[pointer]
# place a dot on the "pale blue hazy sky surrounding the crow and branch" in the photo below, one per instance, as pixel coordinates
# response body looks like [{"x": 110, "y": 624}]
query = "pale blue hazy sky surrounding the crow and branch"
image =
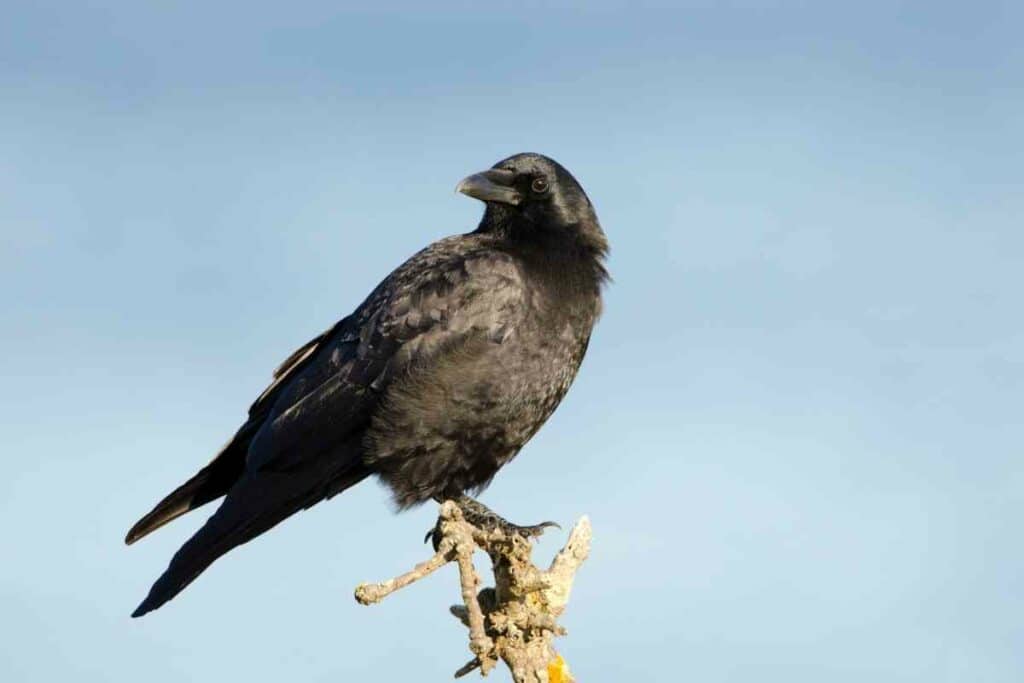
[{"x": 798, "y": 431}]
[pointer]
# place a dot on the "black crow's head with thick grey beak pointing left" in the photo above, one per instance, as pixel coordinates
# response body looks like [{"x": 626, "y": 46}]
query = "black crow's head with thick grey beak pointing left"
[{"x": 532, "y": 197}]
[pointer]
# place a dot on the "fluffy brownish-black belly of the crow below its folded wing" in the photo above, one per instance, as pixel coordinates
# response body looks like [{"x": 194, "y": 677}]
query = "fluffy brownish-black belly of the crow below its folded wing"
[{"x": 450, "y": 426}]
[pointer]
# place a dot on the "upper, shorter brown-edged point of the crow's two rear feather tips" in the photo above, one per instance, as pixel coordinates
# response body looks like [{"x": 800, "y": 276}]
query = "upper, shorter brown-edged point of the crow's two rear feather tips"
[{"x": 209, "y": 484}]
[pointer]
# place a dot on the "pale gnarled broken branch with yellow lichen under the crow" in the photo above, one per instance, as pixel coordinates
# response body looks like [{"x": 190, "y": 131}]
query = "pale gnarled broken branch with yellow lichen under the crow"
[{"x": 517, "y": 621}]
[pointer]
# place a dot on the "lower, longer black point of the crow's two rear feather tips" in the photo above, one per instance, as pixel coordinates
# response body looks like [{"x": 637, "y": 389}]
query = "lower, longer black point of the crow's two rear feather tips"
[{"x": 254, "y": 505}]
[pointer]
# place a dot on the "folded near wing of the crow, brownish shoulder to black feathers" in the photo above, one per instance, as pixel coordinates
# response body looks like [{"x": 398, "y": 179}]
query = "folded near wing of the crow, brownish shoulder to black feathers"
[{"x": 428, "y": 308}]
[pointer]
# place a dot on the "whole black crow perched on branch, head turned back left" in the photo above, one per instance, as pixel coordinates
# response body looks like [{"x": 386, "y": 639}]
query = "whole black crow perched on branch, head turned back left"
[{"x": 433, "y": 385}]
